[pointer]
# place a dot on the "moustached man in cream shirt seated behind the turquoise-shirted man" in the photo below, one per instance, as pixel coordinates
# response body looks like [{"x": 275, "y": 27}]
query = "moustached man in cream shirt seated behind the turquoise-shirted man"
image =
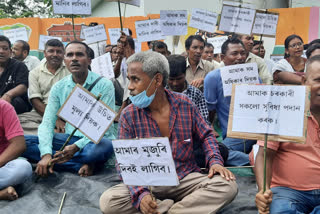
[{"x": 41, "y": 79}]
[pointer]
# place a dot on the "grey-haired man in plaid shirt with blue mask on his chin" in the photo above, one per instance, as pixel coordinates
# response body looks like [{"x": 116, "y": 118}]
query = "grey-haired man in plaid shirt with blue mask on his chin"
[{"x": 158, "y": 112}]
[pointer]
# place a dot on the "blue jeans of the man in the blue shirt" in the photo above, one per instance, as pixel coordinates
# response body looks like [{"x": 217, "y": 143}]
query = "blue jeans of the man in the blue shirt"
[{"x": 238, "y": 151}]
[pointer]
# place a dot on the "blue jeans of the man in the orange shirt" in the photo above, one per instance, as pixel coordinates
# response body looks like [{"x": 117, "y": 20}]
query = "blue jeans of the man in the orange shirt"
[{"x": 289, "y": 201}]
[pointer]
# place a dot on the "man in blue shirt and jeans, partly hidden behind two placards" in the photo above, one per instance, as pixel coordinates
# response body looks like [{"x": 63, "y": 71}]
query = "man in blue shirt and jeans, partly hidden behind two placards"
[{"x": 232, "y": 53}]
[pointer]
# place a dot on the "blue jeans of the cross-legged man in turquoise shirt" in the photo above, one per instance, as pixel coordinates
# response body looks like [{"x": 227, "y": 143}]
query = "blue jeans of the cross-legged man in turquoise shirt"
[{"x": 91, "y": 153}]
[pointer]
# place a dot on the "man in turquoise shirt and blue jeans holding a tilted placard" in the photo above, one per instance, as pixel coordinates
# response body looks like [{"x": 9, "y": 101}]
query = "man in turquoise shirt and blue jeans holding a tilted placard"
[{"x": 80, "y": 155}]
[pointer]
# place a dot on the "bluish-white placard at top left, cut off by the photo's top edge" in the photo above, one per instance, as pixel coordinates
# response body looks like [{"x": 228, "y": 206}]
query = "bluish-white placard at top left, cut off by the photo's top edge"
[{"x": 76, "y": 7}]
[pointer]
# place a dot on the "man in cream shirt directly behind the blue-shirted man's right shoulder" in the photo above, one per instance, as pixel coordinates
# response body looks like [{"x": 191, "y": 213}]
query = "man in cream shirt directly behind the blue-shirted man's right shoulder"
[{"x": 264, "y": 74}]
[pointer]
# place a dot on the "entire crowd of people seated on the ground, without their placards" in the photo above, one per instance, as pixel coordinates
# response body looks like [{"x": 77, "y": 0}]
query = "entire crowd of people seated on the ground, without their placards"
[{"x": 153, "y": 93}]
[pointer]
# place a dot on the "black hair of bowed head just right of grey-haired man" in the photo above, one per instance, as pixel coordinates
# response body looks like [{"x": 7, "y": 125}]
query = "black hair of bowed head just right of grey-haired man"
[{"x": 177, "y": 65}]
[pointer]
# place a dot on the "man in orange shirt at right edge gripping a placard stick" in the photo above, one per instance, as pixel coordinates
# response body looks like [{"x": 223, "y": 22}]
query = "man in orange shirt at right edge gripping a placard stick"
[{"x": 293, "y": 169}]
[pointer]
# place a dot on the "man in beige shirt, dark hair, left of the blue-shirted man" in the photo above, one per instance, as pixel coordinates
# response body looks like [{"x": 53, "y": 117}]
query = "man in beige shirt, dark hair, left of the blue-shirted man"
[{"x": 197, "y": 68}]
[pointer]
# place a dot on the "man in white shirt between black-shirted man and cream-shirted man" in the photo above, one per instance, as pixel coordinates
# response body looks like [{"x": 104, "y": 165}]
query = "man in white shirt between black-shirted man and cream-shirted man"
[{"x": 20, "y": 51}]
